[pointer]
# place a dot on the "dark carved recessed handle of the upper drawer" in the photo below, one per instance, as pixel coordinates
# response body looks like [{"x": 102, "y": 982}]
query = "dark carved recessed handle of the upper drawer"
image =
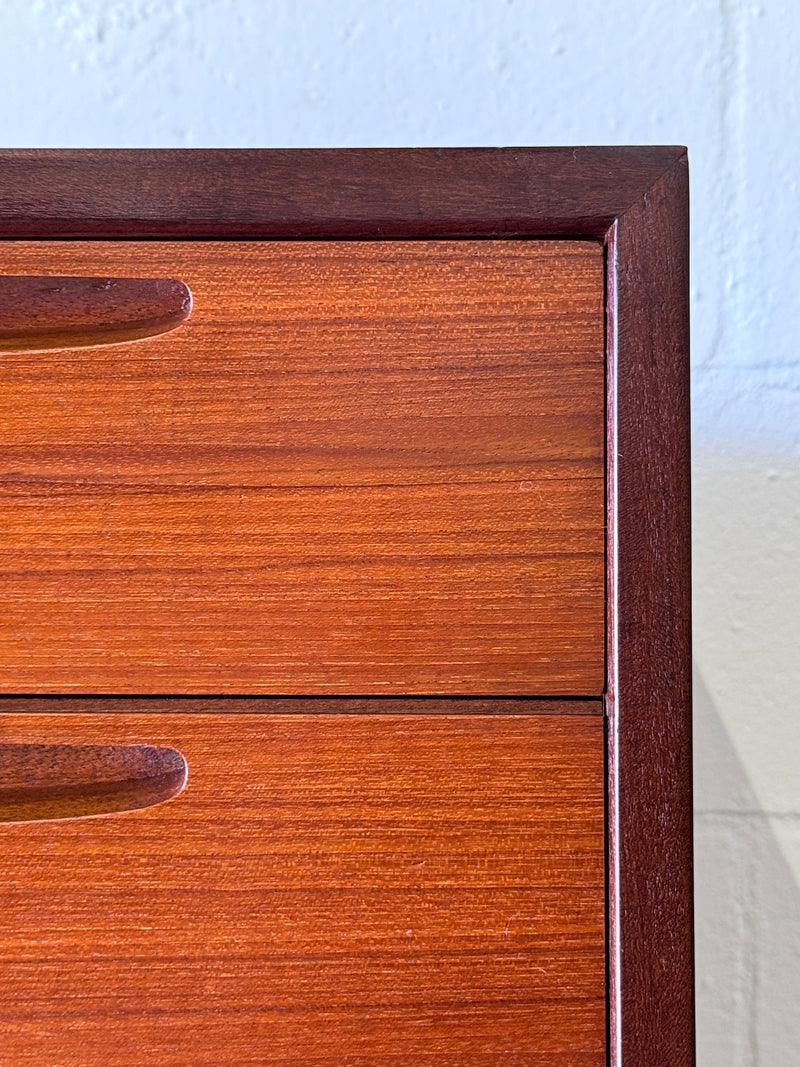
[{"x": 49, "y": 312}]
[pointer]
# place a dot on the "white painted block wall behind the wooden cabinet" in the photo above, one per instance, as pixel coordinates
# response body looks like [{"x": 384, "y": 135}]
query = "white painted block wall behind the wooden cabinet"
[{"x": 722, "y": 76}]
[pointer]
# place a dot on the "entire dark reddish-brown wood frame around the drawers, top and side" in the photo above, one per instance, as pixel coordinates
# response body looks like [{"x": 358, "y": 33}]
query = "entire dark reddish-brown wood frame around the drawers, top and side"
[{"x": 636, "y": 201}]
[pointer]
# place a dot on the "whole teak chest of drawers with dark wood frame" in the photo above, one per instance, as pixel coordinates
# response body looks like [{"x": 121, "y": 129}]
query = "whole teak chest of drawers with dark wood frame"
[{"x": 345, "y": 609}]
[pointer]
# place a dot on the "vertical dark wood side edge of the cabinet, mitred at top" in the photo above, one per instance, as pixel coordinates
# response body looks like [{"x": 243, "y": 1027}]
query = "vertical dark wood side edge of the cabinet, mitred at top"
[{"x": 649, "y": 687}]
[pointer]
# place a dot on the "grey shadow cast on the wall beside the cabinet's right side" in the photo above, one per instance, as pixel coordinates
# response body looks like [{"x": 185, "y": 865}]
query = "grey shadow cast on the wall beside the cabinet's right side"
[{"x": 747, "y": 911}]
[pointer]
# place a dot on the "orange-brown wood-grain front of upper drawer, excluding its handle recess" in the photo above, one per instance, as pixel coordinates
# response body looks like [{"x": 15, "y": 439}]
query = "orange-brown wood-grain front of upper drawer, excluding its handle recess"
[{"x": 358, "y": 468}]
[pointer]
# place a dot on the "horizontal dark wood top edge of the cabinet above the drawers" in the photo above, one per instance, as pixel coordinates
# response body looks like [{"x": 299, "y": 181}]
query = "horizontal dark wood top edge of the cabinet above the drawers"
[{"x": 323, "y": 194}]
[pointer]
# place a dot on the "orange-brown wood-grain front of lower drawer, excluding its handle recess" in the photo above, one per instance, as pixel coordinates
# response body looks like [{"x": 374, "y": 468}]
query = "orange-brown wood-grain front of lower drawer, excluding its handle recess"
[{"x": 377, "y": 890}]
